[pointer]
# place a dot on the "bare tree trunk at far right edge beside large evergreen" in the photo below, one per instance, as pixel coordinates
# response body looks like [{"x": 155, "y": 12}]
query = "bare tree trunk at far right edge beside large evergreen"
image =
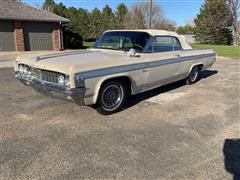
[{"x": 234, "y": 7}]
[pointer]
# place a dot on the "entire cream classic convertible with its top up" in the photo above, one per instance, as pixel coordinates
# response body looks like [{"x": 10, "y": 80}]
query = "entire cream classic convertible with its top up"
[{"x": 119, "y": 64}]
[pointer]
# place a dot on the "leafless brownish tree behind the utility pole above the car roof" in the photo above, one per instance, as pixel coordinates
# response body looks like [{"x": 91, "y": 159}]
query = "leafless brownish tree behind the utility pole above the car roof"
[{"x": 138, "y": 17}]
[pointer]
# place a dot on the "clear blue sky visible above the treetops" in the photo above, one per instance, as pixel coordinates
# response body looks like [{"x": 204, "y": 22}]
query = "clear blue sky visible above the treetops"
[{"x": 180, "y": 11}]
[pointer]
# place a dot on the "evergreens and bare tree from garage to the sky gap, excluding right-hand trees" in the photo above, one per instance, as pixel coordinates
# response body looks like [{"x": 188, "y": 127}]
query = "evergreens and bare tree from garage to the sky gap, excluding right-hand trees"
[{"x": 89, "y": 25}]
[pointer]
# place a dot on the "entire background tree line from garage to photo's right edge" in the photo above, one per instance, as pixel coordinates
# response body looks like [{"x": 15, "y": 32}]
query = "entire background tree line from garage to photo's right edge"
[{"x": 217, "y": 22}]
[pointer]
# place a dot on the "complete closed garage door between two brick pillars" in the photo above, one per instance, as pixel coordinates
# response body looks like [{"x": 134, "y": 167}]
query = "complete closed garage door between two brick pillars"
[{"x": 38, "y": 36}]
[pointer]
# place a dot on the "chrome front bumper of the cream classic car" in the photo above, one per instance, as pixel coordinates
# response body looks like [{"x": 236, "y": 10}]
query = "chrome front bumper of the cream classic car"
[{"x": 76, "y": 94}]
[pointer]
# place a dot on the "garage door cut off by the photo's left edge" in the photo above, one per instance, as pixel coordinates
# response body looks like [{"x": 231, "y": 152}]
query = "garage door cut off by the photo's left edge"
[{"x": 7, "y": 38}]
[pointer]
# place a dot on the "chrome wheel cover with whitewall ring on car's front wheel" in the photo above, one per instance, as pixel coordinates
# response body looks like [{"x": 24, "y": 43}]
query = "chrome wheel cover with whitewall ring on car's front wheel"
[{"x": 112, "y": 97}]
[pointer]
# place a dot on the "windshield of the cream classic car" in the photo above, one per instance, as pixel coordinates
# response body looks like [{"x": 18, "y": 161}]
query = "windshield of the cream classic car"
[{"x": 121, "y": 40}]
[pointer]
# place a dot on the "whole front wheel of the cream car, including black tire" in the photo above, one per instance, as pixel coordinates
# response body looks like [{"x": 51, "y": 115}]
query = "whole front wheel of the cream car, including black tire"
[{"x": 112, "y": 96}]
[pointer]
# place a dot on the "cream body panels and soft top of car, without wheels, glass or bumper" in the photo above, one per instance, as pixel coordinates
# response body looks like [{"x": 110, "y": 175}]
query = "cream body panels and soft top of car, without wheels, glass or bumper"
[{"x": 145, "y": 70}]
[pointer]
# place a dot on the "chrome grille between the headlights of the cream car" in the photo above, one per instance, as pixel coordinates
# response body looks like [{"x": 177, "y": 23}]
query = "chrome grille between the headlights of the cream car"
[{"x": 45, "y": 75}]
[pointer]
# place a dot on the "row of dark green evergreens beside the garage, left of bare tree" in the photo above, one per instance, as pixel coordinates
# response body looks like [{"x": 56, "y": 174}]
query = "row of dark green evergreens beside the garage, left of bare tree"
[{"x": 86, "y": 25}]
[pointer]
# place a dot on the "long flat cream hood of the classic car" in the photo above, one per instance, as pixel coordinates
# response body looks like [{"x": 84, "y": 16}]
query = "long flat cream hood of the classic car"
[{"x": 76, "y": 61}]
